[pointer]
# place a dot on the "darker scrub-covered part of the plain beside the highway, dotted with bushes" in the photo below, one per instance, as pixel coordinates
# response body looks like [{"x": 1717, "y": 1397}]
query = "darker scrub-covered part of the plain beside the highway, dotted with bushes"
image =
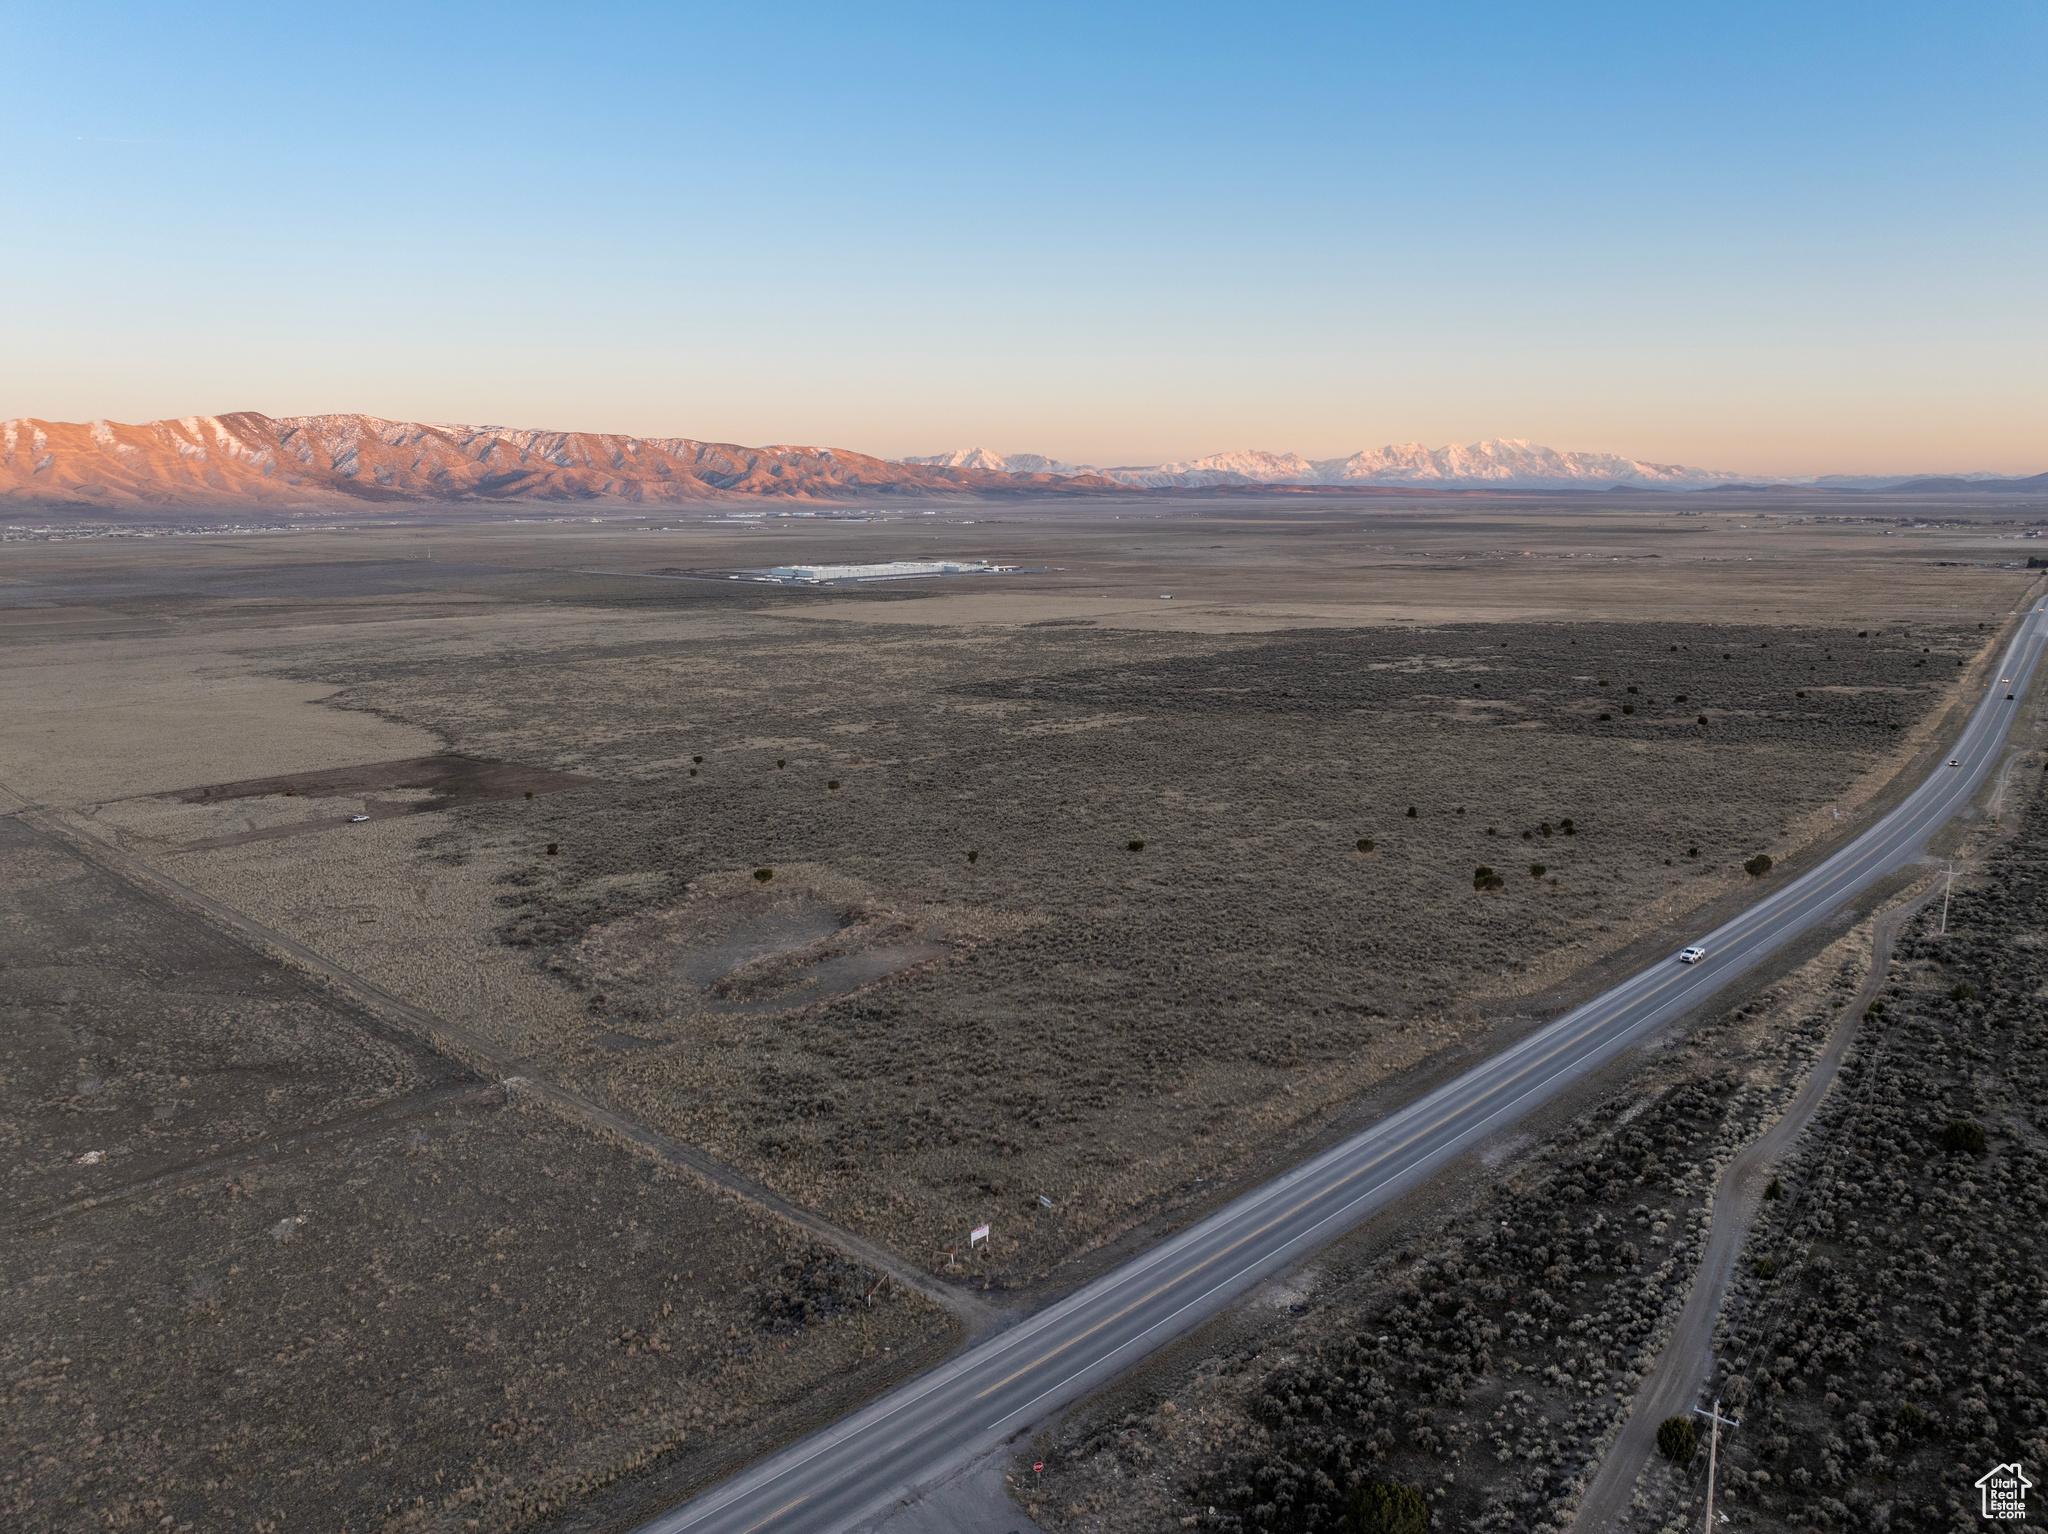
[{"x": 919, "y": 1041}]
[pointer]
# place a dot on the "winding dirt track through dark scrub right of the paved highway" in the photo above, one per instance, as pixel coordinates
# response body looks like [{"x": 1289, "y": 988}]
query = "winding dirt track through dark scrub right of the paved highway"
[{"x": 1674, "y": 1383}]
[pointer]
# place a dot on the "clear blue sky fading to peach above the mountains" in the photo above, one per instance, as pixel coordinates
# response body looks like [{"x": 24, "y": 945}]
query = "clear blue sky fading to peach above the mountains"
[{"x": 1770, "y": 239}]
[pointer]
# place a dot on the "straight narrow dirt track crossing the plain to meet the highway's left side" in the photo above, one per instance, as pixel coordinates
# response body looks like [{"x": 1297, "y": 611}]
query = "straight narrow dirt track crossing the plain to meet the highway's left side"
[{"x": 484, "y": 1056}]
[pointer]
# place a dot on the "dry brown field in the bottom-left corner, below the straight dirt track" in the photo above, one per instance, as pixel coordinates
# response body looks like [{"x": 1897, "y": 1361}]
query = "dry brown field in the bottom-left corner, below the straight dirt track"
[{"x": 269, "y": 1267}]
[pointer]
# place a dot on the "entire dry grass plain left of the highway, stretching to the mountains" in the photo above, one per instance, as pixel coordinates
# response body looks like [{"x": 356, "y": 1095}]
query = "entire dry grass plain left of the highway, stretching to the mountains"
[{"x": 957, "y": 990}]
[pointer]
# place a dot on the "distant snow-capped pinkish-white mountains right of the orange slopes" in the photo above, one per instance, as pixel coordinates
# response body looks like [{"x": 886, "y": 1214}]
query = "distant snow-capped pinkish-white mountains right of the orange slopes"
[{"x": 1508, "y": 464}]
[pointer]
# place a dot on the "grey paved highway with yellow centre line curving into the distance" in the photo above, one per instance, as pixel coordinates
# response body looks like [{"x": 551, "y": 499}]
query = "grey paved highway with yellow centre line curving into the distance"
[{"x": 1017, "y": 1379}]
